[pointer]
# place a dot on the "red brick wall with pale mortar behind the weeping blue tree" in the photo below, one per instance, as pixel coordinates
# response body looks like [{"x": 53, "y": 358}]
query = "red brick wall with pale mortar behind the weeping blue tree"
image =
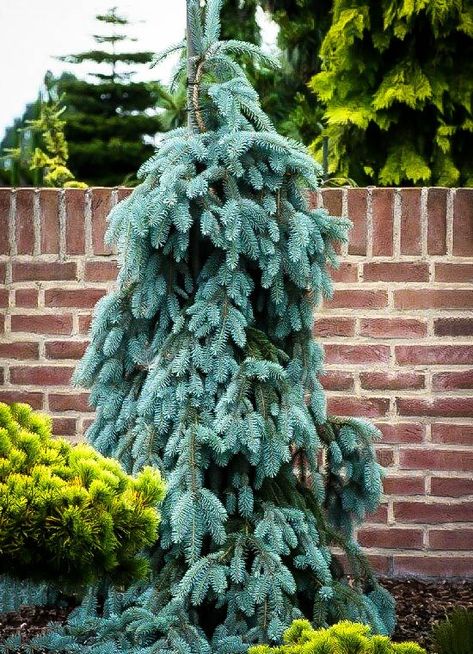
[{"x": 398, "y": 339}]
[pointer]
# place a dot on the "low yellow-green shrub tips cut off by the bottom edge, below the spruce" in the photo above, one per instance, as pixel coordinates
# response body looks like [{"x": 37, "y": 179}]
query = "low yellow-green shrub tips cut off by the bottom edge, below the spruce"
[{"x": 342, "y": 638}]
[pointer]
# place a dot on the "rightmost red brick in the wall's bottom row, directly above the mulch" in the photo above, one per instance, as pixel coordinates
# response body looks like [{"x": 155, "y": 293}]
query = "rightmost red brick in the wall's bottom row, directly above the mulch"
[{"x": 433, "y": 566}]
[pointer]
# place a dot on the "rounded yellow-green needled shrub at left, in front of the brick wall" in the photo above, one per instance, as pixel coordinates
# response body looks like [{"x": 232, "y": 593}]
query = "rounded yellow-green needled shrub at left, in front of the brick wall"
[{"x": 66, "y": 512}]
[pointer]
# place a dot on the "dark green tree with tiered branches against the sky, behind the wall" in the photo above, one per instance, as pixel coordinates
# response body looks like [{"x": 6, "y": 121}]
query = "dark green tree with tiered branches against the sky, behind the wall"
[{"x": 110, "y": 127}]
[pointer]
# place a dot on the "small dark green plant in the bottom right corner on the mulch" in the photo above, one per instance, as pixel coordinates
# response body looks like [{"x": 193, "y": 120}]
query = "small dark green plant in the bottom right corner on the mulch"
[{"x": 455, "y": 634}]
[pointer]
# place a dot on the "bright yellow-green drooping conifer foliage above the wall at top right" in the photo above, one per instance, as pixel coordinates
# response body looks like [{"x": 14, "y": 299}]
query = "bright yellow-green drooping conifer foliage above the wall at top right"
[{"x": 397, "y": 87}]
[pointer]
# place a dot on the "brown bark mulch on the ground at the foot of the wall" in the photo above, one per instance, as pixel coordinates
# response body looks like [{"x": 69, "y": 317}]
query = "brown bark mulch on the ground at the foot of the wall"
[{"x": 420, "y": 604}]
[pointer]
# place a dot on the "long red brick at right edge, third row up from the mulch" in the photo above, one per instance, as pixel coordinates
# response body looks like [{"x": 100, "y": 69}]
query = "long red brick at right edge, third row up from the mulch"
[{"x": 433, "y": 512}]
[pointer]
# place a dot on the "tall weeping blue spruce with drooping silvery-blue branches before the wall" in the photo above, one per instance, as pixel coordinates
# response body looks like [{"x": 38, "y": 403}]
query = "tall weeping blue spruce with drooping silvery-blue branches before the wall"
[{"x": 202, "y": 363}]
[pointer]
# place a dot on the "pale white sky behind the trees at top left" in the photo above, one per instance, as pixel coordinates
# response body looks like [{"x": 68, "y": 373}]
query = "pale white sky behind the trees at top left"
[{"x": 34, "y": 32}]
